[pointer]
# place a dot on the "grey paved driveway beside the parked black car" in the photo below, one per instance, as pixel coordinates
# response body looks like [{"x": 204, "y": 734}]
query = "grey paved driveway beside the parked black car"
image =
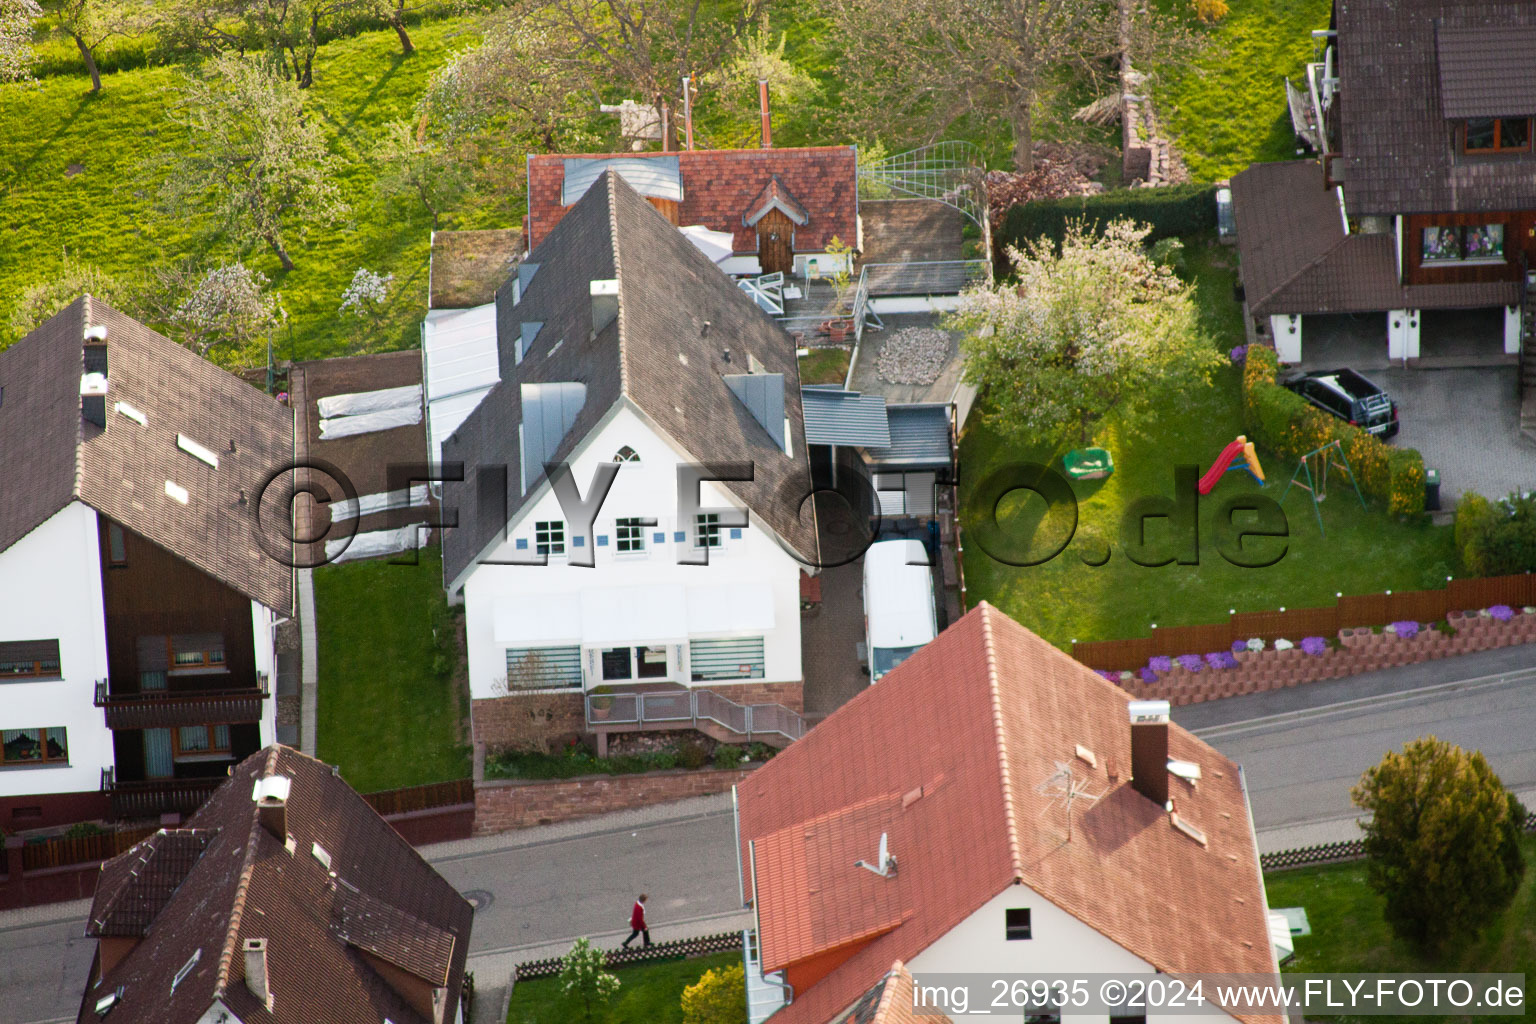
[{"x": 1466, "y": 423}]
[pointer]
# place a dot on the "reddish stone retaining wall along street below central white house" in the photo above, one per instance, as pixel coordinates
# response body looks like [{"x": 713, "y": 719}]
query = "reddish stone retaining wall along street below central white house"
[{"x": 512, "y": 804}]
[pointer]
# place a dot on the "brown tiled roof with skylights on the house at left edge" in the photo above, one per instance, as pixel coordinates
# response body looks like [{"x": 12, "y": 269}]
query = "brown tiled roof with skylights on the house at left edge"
[{"x": 122, "y": 471}]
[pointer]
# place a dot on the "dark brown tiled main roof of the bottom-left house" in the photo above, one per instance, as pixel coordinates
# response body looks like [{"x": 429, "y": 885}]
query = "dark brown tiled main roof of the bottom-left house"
[{"x": 248, "y": 885}]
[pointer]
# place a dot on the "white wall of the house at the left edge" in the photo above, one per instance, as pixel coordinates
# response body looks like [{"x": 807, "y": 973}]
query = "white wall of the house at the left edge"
[{"x": 51, "y": 589}]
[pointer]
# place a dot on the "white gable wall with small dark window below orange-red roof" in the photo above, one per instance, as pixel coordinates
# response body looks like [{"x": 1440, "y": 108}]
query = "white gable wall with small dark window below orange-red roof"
[{"x": 1061, "y": 945}]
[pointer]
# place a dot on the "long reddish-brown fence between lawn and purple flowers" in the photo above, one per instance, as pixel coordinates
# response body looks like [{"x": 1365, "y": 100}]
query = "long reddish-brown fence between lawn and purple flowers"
[{"x": 1294, "y": 624}]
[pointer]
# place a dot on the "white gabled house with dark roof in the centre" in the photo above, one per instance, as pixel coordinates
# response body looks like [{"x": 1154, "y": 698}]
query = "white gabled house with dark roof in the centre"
[{"x": 620, "y": 346}]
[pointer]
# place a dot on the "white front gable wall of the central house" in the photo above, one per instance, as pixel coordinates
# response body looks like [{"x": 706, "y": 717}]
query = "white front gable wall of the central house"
[{"x": 646, "y": 489}]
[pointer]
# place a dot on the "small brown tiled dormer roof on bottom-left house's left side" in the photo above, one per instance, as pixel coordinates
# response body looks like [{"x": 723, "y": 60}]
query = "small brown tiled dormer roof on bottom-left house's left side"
[{"x": 136, "y": 885}]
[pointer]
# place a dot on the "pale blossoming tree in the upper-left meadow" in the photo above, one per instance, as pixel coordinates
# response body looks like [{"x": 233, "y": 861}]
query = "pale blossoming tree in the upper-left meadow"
[{"x": 253, "y": 160}]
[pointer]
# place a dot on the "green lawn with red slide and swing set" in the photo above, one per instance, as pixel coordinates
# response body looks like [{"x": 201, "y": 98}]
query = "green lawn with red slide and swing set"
[{"x": 1065, "y": 600}]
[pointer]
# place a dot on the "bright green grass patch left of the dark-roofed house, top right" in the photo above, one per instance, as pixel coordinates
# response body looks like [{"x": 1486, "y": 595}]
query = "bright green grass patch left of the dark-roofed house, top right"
[{"x": 1226, "y": 107}]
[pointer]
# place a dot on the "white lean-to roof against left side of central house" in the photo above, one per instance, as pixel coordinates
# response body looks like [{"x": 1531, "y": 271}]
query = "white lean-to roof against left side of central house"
[{"x": 462, "y": 368}]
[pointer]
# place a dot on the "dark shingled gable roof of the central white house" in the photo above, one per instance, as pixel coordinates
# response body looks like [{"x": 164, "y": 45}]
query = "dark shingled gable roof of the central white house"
[{"x": 657, "y": 355}]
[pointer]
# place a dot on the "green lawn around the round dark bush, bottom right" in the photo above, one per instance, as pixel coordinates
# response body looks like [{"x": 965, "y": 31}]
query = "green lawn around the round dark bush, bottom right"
[{"x": 1351, "y": 936}]
